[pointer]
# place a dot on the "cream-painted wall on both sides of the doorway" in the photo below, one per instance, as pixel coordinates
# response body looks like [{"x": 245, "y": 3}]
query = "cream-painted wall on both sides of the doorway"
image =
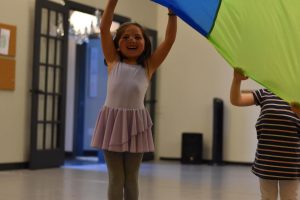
[{"x": 187, "y": 81}]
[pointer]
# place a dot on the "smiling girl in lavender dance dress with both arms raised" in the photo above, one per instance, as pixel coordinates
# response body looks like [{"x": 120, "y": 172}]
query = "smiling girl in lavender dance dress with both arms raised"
[{"x": 123, "y": 128}]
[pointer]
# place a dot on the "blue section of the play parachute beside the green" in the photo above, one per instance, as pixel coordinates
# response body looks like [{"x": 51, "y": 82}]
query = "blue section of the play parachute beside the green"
[{"x": 188, "y": 10}]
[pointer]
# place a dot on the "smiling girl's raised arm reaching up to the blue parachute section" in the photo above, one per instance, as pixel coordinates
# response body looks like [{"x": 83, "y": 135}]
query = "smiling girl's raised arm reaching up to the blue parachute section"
[{"x": 164, "y": 48}]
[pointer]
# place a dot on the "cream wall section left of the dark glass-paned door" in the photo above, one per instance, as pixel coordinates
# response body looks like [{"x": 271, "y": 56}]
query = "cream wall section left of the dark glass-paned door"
[{"x": 15, "y": 105}]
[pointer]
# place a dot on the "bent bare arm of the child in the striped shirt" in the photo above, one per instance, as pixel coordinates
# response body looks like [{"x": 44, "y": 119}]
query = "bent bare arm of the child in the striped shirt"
[{"x": 237, "y": 97}]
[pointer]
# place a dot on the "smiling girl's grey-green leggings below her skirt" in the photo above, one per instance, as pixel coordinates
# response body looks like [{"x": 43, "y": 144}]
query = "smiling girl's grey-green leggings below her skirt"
[{"x": 123, "y": 174}]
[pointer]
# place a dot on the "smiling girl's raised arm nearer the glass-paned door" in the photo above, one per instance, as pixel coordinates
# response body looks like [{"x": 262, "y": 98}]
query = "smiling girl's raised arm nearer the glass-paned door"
[{"x": 109, "y": 50}]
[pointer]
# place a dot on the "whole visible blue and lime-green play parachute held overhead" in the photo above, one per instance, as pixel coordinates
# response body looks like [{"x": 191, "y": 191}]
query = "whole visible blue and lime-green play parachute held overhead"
[{"x": 260, "y": 37}]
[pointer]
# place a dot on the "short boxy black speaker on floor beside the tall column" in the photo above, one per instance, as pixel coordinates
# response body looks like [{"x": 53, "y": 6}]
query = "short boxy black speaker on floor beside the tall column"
[{"x": 191, "y": 148}]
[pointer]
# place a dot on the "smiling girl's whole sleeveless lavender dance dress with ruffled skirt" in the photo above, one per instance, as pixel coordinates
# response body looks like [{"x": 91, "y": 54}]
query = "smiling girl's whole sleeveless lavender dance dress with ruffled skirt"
[{"x": 124, "y": 125}]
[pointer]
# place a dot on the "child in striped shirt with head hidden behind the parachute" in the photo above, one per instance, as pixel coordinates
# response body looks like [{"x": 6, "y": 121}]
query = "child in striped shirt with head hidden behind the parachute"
[{"x": 278, "y": 132}]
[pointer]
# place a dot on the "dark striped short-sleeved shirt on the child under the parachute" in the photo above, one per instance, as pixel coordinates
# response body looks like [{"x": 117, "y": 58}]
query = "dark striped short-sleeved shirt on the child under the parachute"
[{"x": 278, "y": 133}]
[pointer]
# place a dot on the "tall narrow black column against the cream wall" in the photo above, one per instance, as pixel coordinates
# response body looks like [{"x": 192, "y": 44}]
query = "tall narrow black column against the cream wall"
[{"x": 217, "y": 157}]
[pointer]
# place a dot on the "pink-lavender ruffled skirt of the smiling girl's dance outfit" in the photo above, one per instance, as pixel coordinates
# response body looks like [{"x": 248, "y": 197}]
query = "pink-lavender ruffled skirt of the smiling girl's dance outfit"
[{"x": 123, "y": 130}]
